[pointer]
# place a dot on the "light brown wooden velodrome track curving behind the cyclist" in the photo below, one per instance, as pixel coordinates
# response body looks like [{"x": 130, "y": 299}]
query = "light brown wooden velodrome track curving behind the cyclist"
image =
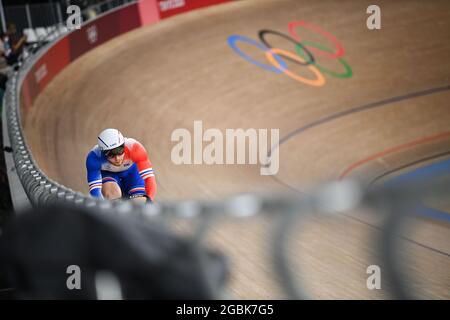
[{"x": 154, "y": 80}]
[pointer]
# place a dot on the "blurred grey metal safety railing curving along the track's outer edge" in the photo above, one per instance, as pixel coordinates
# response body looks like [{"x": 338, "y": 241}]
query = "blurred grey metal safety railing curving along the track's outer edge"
[{"x": 289, "y": 209}]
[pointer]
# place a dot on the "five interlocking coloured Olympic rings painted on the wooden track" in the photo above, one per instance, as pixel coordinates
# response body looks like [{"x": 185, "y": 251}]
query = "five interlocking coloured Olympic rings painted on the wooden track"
[{"x": 303, "y": 55}]
